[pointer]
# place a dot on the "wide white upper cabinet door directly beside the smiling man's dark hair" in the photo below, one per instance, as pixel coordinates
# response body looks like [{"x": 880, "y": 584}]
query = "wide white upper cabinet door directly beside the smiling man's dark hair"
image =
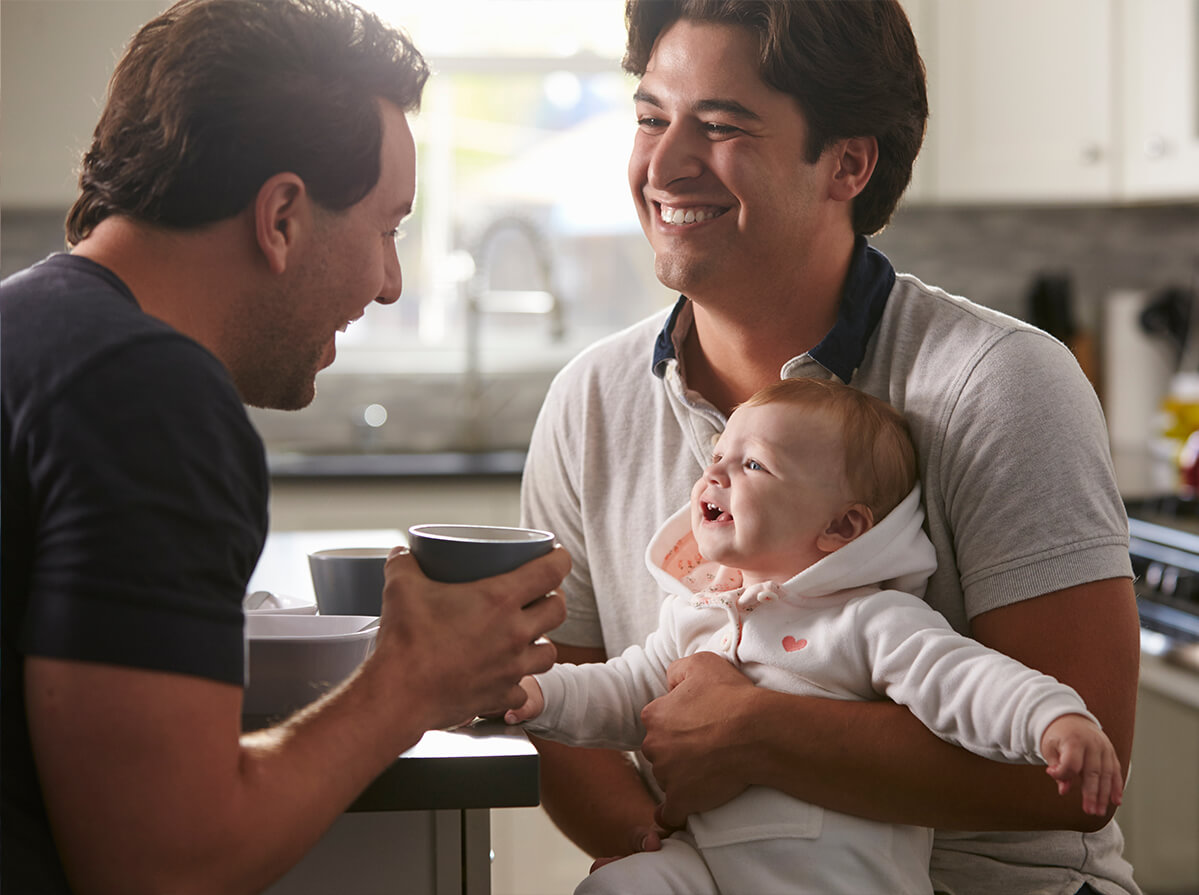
[{"x": 1022, "y": 101}]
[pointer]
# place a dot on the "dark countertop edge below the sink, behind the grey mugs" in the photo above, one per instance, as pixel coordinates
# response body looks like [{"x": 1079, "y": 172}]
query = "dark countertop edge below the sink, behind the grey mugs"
[{"x": 397, "y": 466}]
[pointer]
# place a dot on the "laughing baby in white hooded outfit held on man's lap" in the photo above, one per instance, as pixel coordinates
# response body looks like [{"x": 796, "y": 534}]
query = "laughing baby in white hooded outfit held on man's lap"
[{"x": 798, "y": 560}]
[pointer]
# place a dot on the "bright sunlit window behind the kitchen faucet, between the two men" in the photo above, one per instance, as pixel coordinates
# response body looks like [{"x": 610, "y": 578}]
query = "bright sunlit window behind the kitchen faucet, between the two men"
[{"x": 522, "y": 200}]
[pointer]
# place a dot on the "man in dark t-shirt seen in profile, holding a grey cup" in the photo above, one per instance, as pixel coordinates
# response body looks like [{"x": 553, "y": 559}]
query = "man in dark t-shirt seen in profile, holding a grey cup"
[{"x": 238, "y": 207}]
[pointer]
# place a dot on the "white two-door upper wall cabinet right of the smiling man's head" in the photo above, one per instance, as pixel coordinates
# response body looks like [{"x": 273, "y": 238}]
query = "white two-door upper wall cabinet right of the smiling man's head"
[{"x": 1061, "y": 101}]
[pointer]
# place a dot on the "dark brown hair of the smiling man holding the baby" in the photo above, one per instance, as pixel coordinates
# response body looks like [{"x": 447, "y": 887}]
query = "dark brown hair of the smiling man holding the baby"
[{"x": 852, "y": 65}]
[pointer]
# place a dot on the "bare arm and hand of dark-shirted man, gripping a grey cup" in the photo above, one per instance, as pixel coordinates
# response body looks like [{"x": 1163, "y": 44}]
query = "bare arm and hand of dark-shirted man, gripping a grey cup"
[{"x": 152, "y": 788}]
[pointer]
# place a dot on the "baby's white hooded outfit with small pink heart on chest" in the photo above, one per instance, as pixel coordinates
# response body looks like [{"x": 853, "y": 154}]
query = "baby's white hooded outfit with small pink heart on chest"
[{"x": 846, "y": 628}]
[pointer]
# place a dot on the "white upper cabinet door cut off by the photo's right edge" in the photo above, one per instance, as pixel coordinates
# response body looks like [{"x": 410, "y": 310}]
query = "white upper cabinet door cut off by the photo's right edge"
[{"x": 1160, "y": 99}]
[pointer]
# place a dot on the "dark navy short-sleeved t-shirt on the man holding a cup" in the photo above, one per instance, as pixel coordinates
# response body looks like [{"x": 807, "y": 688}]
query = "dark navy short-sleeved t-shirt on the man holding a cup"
[{"x": 135, "y": 495}]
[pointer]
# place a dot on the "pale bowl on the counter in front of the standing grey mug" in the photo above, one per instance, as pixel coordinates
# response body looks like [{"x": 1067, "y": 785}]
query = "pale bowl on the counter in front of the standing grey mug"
[{"x": 292, "y": 660}]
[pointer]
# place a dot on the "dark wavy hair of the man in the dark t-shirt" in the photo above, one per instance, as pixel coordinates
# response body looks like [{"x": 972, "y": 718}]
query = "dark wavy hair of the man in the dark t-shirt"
[{"x": 214, "y": 98}]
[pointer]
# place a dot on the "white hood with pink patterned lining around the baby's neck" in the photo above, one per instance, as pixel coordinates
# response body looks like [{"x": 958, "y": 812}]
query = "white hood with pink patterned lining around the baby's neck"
[{"x": 895, "y": 554}]
